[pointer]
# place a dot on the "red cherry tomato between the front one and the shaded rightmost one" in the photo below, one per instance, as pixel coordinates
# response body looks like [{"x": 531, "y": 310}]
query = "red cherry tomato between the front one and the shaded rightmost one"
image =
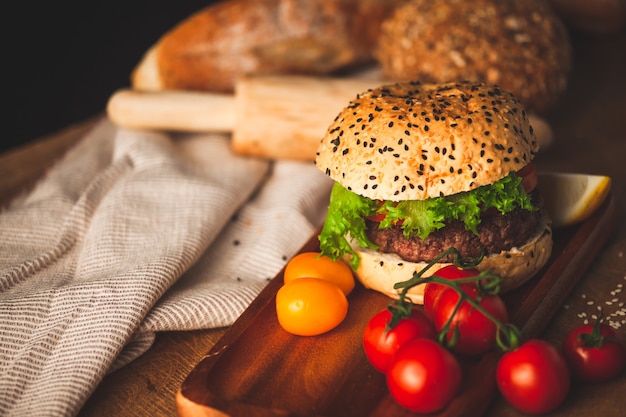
[{"x": 533, "y": 378}]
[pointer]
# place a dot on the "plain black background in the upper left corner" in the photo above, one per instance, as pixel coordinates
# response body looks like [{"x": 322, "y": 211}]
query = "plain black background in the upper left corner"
[{"x": 64, "y": 59}]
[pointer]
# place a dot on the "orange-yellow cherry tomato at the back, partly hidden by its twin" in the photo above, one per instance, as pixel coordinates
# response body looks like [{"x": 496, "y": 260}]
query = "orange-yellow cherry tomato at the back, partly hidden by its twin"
[{"x": 313, "y": 265}]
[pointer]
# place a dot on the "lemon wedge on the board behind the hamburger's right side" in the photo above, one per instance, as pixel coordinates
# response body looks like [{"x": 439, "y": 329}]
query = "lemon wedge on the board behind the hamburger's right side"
[{"x": 571, "y": 198}]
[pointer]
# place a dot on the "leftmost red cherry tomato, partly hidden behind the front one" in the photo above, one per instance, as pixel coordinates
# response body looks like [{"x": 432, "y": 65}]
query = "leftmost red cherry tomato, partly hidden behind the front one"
[{"x": 381, "y": 342}]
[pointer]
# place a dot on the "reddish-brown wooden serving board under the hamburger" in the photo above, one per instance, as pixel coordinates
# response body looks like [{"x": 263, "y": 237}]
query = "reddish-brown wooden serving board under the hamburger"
[{"x": 258, "y": 369}]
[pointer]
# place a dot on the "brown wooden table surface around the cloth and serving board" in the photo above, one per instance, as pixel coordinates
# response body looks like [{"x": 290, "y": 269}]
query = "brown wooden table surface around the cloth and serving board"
[{"x": 590, "y": 137}]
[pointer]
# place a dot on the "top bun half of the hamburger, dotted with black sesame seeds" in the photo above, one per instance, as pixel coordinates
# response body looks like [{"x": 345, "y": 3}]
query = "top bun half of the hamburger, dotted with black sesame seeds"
[{"x": 412, "y": 141}]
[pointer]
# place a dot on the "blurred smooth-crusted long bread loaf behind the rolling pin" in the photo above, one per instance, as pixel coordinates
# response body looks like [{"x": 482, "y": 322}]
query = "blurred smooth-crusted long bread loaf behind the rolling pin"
[{"x": 211, "y": 49}]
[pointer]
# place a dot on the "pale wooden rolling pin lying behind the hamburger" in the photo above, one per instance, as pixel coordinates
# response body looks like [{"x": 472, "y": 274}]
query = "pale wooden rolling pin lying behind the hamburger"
[{"x": 276, "y": 117}]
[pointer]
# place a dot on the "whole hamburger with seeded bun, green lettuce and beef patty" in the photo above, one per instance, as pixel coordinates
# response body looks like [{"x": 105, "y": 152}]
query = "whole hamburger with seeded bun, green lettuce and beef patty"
[{"x": 419, "y": 168}]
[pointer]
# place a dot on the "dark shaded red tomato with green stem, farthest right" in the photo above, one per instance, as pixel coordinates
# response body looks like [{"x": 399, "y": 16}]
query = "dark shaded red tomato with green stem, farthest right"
[{"x": 594, "y": 352}]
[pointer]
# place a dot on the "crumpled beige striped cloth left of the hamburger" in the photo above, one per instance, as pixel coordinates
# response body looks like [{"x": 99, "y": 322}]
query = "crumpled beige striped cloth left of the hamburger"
[{"x": 131, "y": 234}]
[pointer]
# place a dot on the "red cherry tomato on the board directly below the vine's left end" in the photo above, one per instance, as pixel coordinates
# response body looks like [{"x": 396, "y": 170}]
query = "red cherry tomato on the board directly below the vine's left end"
[{"x": 423, "y": 376}]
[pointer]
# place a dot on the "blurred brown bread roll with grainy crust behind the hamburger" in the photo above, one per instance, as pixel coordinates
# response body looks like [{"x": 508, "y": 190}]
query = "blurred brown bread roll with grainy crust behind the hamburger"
[{"x": 522, "y": 46}]
